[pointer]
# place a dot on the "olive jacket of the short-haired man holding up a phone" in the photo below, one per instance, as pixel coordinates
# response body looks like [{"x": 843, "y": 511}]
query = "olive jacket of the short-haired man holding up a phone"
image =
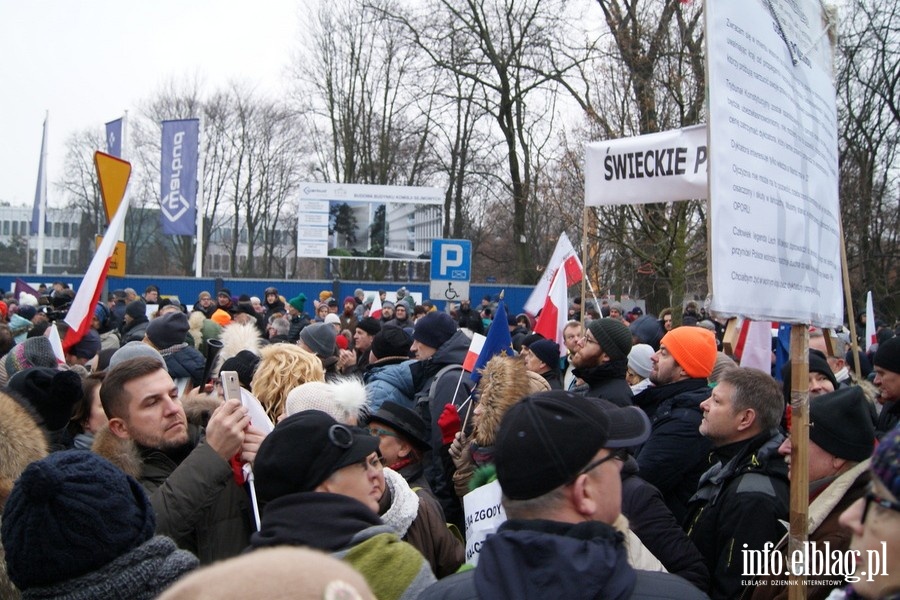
[{"x": 192, "y": 490}]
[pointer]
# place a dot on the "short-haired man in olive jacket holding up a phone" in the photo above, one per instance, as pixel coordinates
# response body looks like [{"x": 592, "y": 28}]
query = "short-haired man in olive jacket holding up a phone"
[{"x": 185, "y": 470}]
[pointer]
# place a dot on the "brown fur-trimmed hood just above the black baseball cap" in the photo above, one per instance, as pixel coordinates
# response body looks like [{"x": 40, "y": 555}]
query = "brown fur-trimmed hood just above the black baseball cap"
[{"x": 504, "y": 381}]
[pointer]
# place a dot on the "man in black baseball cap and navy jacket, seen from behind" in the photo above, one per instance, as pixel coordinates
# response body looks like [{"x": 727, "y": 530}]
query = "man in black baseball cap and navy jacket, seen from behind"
[{"x": 555, "y": 455}]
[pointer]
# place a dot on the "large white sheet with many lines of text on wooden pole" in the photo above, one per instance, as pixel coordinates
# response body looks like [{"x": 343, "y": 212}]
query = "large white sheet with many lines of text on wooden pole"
[{"x": 775, "y": 218}]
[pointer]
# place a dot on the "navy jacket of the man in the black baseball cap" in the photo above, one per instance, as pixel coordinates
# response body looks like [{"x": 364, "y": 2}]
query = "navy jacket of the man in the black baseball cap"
[{"x": 538, "y": 559}]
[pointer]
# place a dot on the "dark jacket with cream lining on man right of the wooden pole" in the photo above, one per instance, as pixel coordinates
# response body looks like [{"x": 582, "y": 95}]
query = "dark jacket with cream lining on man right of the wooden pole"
[{"x": 823, "y": 514}]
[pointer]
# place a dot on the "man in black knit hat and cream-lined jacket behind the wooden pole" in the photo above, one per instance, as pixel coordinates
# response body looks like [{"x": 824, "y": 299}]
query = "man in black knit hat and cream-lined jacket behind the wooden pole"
[{"x": 841, "y": 440}]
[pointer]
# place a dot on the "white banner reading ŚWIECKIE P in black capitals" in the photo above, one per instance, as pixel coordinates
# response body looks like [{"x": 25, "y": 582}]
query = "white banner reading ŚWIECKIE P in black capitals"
[{"x": 658, "y": 167}]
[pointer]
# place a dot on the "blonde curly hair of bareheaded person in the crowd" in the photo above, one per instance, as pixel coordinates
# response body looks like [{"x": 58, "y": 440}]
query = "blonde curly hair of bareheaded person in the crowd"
[{"x": 282, "y": 367}]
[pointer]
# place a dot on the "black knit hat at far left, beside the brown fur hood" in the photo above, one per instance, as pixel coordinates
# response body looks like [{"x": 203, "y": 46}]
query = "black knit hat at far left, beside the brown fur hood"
[{"x": 51, "y": 393}]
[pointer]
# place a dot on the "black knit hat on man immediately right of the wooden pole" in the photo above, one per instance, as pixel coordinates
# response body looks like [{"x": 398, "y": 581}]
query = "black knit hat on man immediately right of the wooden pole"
[{"x": 840, "y": 424}]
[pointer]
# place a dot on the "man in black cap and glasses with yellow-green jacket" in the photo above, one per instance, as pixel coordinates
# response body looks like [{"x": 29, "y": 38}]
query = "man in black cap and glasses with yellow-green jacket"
[{"x": 318, "y": 484}]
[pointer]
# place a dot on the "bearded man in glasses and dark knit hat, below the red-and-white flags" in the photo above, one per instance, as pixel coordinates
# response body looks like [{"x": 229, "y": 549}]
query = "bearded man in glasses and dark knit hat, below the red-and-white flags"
[{"x": 601, "y": 361}]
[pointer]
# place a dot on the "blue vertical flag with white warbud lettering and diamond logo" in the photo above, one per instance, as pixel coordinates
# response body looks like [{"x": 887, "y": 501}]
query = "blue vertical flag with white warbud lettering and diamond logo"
[{"x": 178, "y": 194}]
